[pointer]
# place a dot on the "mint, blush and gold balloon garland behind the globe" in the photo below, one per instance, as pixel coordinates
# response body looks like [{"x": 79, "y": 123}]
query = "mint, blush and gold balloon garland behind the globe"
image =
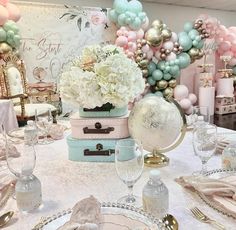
[{"x": 158, "y": 51}]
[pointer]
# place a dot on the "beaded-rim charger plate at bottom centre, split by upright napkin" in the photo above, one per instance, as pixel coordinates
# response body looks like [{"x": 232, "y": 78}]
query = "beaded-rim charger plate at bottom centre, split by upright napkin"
[{"x": 116, "y": 217}]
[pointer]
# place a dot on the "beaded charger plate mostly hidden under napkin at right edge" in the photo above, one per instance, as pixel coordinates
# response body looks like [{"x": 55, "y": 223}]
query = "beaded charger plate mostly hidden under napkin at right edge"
[{"x": 220, "y": 174}]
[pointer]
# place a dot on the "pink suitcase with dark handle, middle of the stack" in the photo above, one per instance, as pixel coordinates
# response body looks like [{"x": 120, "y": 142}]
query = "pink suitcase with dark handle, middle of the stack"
[{"x": 99, "y": 128}]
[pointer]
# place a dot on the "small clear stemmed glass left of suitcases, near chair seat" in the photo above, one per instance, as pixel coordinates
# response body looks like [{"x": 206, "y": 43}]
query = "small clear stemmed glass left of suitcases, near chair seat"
[{"x": 44, "y": 123}]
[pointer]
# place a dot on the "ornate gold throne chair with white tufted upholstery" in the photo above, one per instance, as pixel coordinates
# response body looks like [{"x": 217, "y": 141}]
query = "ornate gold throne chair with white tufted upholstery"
[{"x": 13, "y": 85}]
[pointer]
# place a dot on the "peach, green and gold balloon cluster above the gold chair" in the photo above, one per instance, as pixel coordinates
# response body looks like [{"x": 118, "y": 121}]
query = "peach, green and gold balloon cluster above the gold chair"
[{"x": 9, "y": 31}]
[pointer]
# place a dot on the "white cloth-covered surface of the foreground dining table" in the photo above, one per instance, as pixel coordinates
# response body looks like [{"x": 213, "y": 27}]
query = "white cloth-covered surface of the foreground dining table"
[{"x": 66, "y": 182}]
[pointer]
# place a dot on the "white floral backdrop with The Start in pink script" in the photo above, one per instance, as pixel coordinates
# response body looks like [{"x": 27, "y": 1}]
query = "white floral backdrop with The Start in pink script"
[{"x": 53, "y": 35}]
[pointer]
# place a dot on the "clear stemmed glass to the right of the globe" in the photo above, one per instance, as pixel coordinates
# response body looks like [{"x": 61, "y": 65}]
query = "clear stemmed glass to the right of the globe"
[{"x": 204, "y": 143}]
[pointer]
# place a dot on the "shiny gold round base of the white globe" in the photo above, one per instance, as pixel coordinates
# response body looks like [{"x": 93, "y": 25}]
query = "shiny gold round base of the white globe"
[{"x": 156, "y": 159}]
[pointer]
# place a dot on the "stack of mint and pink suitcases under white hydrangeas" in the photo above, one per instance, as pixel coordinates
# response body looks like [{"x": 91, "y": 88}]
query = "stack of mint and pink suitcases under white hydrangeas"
[{"x": 95, "y": 133}]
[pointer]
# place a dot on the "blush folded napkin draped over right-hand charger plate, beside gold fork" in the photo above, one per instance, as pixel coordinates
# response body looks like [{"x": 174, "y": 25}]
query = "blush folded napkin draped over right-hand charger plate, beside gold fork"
[{"x": 221, "y": 192}]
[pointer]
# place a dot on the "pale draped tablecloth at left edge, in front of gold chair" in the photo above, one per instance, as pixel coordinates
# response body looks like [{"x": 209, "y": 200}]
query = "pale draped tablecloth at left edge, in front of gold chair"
[{"x": 7, "y": 115}]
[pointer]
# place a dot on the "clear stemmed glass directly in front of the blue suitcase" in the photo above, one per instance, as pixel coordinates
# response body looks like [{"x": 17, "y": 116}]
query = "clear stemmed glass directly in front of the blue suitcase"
[{"x": 129, "y": 164}]
